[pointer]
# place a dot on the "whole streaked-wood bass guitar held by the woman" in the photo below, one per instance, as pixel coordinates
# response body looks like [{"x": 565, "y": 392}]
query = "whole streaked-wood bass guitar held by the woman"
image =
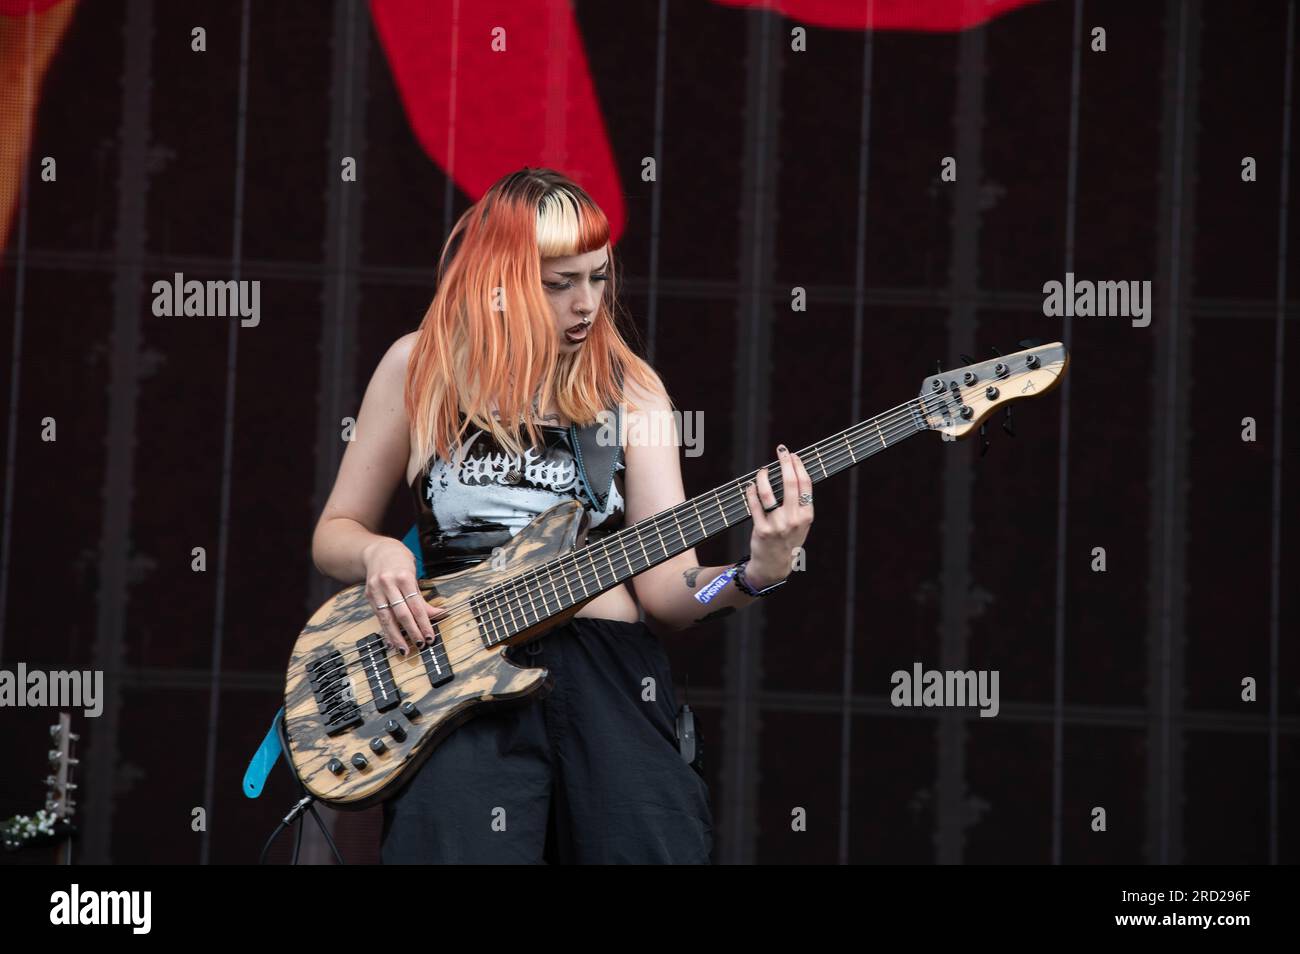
[{"x": 359, "y": 718}]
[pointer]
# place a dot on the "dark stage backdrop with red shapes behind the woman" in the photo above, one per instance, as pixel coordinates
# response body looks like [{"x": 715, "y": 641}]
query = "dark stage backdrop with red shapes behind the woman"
[{"x": 788, "y": 154}]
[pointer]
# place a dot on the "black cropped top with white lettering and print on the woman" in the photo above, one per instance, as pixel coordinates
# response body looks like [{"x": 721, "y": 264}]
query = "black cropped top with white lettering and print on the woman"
[{"x": 465, "y": 513}]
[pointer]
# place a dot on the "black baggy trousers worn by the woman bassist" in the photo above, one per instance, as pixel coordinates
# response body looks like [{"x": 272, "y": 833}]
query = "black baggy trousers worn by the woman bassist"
[{"x": 588, "y": 775}]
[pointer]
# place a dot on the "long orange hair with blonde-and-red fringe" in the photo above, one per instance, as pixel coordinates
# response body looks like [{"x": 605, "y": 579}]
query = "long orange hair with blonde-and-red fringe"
[{"x": 491, "y": 336}]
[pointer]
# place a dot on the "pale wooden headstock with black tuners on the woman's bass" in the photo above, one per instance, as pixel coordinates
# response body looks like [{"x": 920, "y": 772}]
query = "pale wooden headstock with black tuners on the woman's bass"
[{"x": 956, "y": 402}]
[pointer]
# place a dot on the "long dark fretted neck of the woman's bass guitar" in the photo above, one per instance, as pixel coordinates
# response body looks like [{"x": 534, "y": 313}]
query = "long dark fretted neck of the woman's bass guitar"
[{"x": 584, "y": 574}]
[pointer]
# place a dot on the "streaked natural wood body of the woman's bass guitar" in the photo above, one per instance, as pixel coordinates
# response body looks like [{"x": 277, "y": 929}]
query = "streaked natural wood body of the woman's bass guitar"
[{"x": 478, "y": 675}]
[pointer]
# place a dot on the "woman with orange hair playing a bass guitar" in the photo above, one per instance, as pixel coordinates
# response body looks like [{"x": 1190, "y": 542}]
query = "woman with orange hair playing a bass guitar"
[{"x": 473, "y": 413}]
